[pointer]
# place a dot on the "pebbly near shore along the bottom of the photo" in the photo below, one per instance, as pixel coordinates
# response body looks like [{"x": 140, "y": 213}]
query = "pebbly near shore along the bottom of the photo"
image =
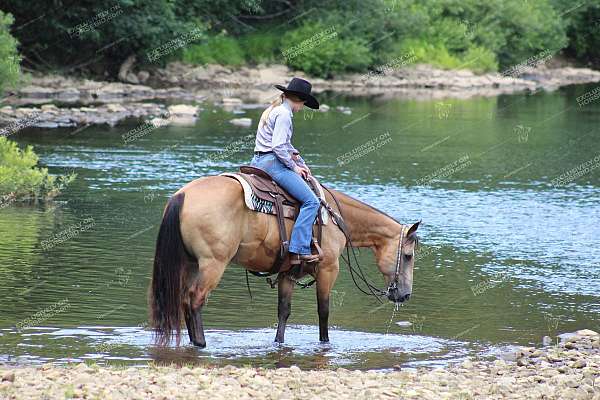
[{"x": 567, "y": 370}]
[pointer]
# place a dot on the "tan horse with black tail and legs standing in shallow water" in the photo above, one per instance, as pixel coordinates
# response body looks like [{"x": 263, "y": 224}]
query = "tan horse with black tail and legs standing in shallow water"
[{"x": 206, "y": 225}]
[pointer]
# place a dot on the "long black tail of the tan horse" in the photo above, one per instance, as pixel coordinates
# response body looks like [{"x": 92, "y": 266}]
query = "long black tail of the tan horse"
[{"x": 164, "y": 296}]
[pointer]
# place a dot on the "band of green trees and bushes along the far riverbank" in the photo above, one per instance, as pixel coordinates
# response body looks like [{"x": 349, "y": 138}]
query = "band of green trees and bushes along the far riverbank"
[{"x": 447, "y": 33}]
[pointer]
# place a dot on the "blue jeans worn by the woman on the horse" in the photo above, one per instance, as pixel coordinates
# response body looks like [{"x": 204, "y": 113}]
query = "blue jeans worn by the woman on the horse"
[{"x": 295, "y": 185}]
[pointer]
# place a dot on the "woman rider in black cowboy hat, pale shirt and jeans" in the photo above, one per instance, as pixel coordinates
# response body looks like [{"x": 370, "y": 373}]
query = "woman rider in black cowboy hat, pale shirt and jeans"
[{"x": 274, "y": 153}]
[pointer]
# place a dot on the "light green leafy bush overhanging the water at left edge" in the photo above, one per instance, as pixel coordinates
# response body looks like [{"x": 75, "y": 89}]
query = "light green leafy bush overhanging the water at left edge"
[{"x": 20, "y": 177}]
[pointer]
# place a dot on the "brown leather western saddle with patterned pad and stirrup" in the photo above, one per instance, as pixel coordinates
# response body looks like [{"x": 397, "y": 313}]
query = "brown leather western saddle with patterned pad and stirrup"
[{"x": 269, "y": 197}]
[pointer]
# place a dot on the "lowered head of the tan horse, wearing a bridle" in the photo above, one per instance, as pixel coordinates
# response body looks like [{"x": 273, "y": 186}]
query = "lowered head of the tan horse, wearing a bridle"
[{"x": 395, "y": 259}]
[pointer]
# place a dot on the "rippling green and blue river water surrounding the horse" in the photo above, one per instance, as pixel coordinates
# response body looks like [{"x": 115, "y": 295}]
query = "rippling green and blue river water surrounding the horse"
[{"x": 509, "y": 253}]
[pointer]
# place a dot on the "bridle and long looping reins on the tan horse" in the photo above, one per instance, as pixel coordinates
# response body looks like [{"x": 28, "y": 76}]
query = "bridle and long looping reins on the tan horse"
[{"x": 373, "y": 290}]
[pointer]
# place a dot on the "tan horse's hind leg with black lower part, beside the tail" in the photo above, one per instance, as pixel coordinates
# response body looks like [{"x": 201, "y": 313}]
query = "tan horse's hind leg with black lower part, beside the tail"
[{"x": 202, "y": 283}]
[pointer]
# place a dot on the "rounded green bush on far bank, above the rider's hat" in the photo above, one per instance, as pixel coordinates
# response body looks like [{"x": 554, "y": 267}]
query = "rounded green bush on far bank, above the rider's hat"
[{"x": 329, "y": 55}]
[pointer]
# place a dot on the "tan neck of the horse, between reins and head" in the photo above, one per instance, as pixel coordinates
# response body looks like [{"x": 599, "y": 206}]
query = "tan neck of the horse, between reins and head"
[{"x": 368, "y": 227}]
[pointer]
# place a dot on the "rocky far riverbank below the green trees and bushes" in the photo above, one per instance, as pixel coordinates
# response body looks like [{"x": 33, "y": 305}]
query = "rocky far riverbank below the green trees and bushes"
[{"x": 57, "y": 101}]
